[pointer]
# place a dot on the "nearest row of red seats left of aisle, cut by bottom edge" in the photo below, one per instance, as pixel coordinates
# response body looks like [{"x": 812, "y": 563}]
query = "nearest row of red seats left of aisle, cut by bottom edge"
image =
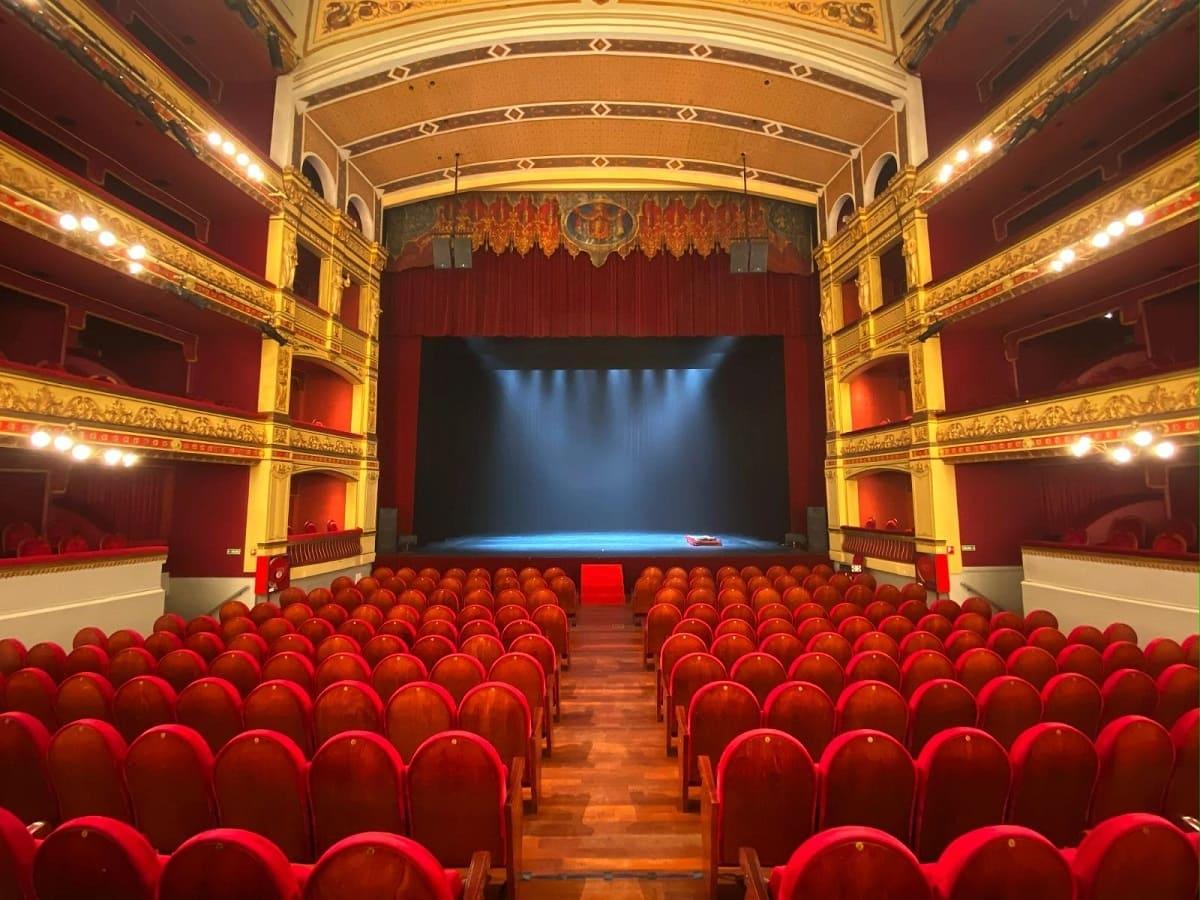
[{"x": 100, "y": 857}]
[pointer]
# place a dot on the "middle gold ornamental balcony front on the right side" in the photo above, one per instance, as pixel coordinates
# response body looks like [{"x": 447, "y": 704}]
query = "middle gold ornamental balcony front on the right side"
[{"x": 1167, "y": 194}]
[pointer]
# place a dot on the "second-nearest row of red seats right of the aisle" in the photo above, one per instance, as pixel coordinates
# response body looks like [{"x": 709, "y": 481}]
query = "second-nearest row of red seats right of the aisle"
[{"x": 770, "y": 795}]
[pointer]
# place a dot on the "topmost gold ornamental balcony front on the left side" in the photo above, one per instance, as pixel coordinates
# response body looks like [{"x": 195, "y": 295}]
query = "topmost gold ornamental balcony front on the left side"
[{"x": 100, "y": 44}]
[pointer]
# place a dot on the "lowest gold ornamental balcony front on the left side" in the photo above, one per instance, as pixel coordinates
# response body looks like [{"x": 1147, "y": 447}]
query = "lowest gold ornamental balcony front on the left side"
[{"x": 44, "y": 399}]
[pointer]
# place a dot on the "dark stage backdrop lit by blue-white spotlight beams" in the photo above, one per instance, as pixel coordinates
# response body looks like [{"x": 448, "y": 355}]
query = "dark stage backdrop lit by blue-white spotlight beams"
[{"x": 601, "y": 435}]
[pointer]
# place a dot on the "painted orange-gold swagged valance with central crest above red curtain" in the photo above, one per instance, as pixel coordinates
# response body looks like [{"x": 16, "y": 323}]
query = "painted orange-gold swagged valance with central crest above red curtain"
[{"x": 602, "y": 224}]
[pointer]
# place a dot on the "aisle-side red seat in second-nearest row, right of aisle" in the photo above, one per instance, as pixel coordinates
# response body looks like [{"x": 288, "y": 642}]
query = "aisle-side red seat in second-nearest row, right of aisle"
[{"x": 766, "y": 787}]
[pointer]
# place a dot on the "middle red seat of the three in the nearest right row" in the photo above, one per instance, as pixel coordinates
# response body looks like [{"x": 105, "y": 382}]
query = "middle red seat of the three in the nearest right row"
[{"x": 1003, "y": 863}]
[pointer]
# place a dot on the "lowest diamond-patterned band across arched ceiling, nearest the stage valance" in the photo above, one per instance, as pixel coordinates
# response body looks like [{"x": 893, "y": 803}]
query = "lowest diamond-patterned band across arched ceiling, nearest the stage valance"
[{"x": 533, "y": 164}]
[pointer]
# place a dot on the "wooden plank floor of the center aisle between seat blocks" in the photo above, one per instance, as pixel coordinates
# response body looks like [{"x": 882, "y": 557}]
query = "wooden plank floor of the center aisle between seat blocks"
[{"x": 610, "y": 825}]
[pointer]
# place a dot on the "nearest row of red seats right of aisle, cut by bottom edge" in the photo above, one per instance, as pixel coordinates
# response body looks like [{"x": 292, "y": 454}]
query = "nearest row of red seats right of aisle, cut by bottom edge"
[{"x": 1133, "y": 856}]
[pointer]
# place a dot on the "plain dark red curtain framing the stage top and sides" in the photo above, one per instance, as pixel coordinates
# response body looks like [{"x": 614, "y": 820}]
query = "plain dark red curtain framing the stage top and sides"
[{"x": 562, "y": 297}]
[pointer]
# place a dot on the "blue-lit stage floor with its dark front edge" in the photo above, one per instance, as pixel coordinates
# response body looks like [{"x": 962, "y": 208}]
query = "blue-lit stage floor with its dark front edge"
[{"x": 568, "y": 550}]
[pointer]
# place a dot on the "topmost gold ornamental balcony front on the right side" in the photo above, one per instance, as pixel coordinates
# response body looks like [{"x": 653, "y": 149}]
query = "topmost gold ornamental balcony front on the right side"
[{"x": 1097, "y": 53}]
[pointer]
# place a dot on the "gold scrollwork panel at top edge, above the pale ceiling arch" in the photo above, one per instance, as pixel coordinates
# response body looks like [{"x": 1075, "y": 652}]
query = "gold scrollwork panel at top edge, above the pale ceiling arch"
[{"x": 860, "y": 21}]
